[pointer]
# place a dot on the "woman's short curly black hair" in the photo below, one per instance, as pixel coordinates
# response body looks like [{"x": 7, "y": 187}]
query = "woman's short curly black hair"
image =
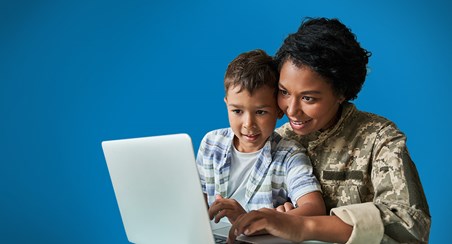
[{"x": 329, "y": 48}]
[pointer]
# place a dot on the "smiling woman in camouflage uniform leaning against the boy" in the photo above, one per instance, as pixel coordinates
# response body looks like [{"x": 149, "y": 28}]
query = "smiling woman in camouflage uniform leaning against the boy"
[{"x": 370, "y": 185}]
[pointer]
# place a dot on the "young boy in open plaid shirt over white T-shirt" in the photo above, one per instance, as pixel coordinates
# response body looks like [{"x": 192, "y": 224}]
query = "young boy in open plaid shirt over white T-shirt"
[{"x": 249, "y": 166}]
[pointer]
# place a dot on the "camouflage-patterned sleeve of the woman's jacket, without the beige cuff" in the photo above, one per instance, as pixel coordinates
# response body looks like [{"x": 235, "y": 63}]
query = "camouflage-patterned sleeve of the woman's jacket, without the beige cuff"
[{"x": 398, "y": 191}]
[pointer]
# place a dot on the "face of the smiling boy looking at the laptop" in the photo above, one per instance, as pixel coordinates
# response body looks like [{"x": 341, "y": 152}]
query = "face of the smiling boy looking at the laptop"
[{"x": 252, "y": 118}]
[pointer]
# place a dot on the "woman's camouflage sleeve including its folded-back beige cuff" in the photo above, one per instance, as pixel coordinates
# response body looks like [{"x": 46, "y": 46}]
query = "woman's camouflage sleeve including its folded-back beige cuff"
[{"x": 399, "y": 210}]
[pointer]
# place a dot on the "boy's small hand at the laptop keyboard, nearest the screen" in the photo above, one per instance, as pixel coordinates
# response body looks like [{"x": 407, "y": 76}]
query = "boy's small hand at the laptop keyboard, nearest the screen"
[{"x": 224, "y": 207}]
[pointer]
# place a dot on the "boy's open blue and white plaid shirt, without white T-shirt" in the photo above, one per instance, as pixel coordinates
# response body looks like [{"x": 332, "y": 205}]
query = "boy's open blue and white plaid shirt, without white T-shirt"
[{"x": 281, "y": 171}]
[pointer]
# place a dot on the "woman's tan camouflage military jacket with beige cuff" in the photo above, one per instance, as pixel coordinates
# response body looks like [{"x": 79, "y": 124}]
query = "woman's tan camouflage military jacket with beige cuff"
[{"x": 363, "y": 165}]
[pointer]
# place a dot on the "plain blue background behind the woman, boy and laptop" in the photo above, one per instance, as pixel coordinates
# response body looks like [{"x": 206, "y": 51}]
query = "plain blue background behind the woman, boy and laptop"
[{"x": 74, "y": 73}]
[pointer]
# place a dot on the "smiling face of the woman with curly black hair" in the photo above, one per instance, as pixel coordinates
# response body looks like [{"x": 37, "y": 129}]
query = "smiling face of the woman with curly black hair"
[{"x": 307, "y": 99}]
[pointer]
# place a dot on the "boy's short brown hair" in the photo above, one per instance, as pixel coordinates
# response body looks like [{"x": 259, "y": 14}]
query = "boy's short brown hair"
[{"x": 251, "y": 71}]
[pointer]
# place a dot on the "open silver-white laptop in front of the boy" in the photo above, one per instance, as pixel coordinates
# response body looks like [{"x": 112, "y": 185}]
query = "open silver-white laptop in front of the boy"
[{"x": 159, "y": 194}]
